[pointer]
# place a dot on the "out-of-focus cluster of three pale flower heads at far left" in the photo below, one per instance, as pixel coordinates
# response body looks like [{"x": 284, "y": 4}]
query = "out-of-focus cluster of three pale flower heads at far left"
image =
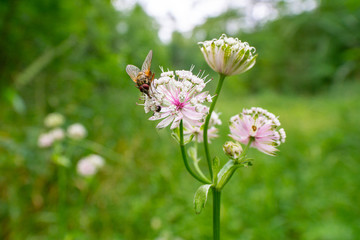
[{"x": 54, "y": 121}]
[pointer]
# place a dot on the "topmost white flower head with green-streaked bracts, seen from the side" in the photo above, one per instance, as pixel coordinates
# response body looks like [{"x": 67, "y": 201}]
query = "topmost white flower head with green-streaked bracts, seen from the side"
[{"x": 228, "y": 56}]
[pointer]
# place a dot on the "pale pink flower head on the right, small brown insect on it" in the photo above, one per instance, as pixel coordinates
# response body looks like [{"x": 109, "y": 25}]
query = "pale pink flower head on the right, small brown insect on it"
[{"x": 259, "y": 126}]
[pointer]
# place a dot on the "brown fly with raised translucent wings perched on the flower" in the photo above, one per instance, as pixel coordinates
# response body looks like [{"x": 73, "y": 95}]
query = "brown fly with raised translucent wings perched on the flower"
[{"x": 143, "y": 78}]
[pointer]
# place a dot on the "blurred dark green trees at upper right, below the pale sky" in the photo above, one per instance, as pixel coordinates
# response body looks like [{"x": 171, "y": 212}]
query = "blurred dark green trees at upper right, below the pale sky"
[{"x": 300, "y": 53}]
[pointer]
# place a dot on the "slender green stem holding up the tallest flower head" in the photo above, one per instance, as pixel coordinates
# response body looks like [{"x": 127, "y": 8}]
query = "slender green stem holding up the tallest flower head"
[{"x": 206, "y": 126}]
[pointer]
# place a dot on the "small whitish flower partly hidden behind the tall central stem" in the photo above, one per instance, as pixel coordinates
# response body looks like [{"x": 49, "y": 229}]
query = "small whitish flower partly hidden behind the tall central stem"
[{"x": 198, "y": 132}]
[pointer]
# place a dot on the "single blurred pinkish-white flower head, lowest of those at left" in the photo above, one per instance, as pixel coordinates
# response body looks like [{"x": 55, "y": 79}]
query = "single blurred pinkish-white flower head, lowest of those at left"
[{"x": 89, "y": 165}]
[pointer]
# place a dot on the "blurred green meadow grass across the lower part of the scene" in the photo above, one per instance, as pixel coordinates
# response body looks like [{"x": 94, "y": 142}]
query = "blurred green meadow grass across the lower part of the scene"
[{"x": 309, "y": 191}]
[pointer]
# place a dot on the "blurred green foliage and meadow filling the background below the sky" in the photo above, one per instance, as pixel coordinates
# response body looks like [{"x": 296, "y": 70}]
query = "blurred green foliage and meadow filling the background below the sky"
[{"x": 70, "y": 56}]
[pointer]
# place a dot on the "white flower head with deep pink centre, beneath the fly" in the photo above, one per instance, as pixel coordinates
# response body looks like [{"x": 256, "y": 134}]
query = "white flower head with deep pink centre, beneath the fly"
[{"x": 178, "y": 96}]
